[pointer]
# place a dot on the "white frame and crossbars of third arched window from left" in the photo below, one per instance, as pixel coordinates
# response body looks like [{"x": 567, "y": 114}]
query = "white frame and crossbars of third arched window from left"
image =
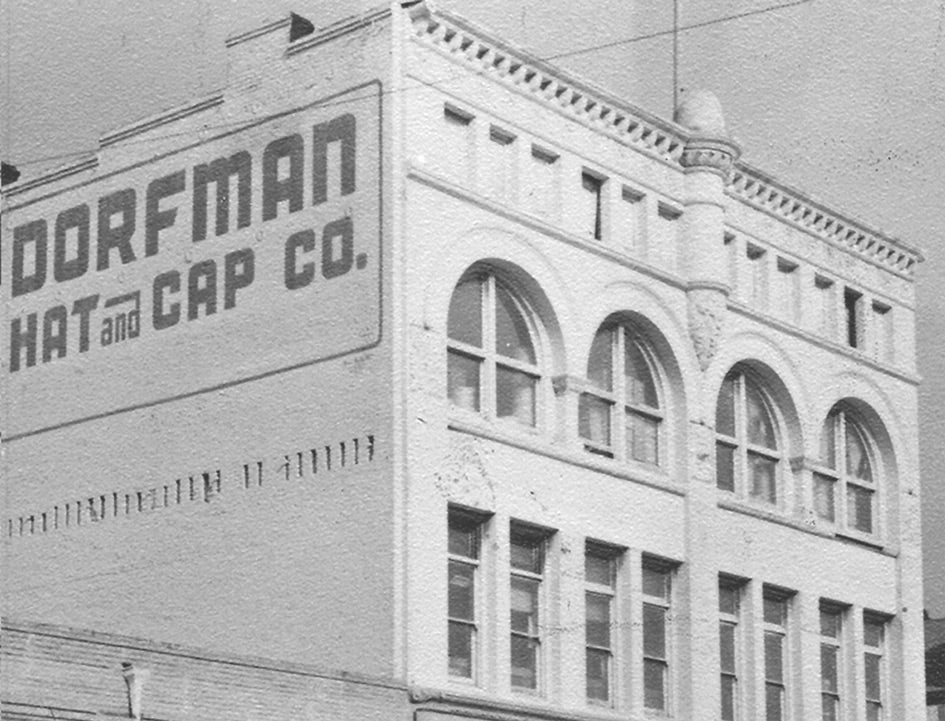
[{"x": 743, "y": 449}]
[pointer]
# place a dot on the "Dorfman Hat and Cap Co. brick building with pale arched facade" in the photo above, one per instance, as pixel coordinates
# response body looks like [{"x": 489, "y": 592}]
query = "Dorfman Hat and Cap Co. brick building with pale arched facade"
[{"x": 411, "y": 355}]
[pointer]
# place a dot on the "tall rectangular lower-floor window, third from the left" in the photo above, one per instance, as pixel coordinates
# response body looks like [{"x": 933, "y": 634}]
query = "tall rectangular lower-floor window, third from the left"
[{"x": 600, "y": 574}]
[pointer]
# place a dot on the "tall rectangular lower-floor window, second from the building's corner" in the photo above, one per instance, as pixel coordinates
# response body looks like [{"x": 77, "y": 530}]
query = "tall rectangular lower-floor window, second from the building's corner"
[{"x": 527, "y": 561}]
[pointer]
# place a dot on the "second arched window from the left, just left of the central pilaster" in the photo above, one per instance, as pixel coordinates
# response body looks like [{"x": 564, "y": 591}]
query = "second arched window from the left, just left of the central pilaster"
[{"x": 621, "y": 414}]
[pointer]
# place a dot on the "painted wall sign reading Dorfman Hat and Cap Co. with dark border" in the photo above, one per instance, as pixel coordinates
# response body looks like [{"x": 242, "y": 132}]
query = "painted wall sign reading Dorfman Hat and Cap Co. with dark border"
[{"x": 225, "y": 260}]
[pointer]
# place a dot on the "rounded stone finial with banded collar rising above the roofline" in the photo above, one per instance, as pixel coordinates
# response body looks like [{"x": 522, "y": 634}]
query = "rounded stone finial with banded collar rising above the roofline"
[{"x": 709, "y": 147}]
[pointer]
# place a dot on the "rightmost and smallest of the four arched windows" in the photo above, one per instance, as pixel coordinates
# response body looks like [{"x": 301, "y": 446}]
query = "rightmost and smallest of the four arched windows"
[{"x": 844, "y": 482}]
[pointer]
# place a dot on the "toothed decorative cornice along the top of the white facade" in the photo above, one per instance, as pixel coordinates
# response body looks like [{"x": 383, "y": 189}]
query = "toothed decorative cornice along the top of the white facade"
[{"x": 490, "y": 57}]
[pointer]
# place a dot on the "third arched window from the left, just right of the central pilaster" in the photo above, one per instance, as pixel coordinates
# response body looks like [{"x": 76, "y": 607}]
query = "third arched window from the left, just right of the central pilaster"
[{"x": 747, "y": 448}]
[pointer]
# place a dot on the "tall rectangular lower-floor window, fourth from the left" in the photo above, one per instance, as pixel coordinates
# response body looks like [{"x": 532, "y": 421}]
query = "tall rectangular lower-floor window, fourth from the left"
[{"x": 657, "y": 587}]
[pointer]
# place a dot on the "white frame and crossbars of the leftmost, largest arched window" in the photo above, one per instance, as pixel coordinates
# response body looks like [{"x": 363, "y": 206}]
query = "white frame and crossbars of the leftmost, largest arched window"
[{"x": 488, "y": 358}]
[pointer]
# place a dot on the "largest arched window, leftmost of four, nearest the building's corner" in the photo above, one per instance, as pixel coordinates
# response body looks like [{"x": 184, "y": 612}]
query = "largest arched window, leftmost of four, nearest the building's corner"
[{"x": 492, "y": 362}]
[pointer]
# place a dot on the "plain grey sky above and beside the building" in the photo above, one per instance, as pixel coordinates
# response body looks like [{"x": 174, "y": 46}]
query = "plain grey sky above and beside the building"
[{"x": 842, "y": 98}]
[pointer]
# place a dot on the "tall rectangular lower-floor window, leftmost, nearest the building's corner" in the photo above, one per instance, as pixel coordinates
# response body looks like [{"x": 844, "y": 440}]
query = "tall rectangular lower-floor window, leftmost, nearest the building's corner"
[{"x": 462, "y": 579}]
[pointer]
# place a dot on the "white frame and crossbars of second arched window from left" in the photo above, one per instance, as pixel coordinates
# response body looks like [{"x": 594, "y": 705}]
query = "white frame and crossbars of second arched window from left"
[{"x": 617, "y": 398}]
